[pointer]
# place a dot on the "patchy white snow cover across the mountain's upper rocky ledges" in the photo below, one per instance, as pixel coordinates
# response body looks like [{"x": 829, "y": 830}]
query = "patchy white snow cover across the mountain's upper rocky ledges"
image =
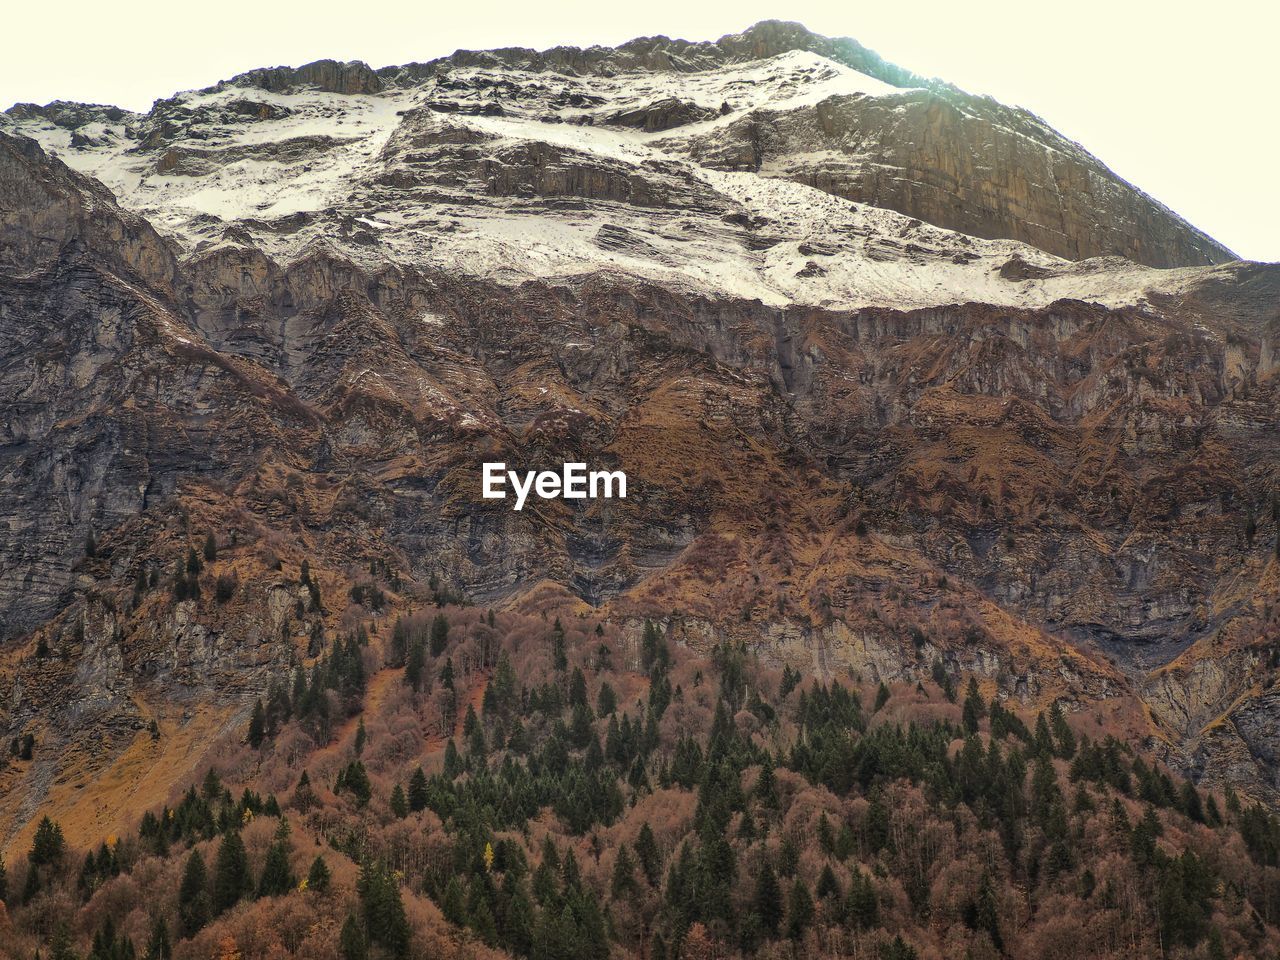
[{"x": 513, "y": 175}]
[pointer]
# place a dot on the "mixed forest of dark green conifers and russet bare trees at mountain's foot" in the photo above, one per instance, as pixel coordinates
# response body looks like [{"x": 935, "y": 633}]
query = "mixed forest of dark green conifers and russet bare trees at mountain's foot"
[{"x": 463, "y": 784}]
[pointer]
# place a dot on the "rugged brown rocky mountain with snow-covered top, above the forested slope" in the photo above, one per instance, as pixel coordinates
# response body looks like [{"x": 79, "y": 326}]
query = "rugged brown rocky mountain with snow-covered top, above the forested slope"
[{"x": 908, "y": 388}]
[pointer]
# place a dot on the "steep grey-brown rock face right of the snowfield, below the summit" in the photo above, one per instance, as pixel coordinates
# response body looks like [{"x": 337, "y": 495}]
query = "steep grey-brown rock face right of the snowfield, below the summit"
[{"x": 961, "y": 162}]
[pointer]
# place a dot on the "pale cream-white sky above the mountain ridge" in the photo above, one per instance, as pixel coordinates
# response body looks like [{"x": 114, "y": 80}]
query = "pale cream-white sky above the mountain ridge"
[{"x": 1181, "y": 99}]
